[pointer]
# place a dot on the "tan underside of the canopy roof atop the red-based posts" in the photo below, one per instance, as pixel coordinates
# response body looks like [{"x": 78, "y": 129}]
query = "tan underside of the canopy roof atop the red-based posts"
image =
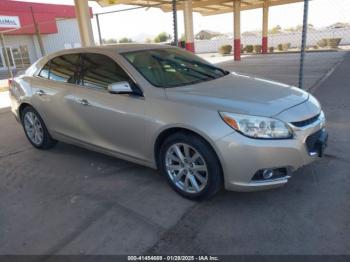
[{"x": 204, "y": 7}]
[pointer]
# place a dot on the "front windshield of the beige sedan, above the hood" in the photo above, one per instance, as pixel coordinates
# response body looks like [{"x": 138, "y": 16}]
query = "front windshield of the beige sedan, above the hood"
[{"x": 171, "y": 67}]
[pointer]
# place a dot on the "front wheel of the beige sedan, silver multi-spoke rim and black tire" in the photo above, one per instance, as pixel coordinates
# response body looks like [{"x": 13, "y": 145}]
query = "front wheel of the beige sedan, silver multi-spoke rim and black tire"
[{"x": 191, "y": 166}]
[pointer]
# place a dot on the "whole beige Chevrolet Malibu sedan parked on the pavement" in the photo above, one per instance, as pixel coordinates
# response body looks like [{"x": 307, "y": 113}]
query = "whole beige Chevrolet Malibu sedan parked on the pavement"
[{"x": 203, "y": 127}]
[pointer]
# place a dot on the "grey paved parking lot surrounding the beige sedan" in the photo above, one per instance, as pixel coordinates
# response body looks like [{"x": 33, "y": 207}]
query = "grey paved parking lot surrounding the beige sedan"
[{"x": 72, "y": 201}]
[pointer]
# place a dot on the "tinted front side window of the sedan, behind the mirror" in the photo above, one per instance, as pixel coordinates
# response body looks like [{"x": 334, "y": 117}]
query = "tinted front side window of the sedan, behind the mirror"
[{"x": 99, "y": 71}]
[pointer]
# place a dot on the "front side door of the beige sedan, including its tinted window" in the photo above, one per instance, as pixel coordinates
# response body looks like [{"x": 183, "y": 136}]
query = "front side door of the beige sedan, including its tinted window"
[{"x": 112, "y": 122}]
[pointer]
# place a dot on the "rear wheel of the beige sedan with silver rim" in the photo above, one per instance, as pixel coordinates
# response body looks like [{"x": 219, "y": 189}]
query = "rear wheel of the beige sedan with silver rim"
[{"x": 35, "y": 129}]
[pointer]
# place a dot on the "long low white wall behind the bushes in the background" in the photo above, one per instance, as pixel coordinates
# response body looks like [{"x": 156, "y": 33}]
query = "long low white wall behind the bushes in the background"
[{"x": 210, "y": 46}]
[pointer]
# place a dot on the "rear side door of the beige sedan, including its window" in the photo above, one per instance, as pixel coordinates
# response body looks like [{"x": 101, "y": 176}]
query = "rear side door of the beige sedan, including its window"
[{"x": 58, "y": 78}]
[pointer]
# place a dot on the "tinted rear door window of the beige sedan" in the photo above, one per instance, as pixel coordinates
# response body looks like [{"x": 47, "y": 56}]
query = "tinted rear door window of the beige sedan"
[{"x": 64, "y": 69}]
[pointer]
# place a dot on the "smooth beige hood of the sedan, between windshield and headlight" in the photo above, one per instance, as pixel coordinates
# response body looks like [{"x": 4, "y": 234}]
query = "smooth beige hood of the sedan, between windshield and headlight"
[{"x": 240, "y": 94}]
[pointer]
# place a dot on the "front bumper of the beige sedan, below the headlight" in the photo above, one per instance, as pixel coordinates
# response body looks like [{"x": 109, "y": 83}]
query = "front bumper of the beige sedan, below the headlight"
[{"x": 243, "y": 157}]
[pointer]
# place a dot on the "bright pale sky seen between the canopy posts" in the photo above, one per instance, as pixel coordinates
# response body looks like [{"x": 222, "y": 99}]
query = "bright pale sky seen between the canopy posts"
[{"x": 148, "y": 23}]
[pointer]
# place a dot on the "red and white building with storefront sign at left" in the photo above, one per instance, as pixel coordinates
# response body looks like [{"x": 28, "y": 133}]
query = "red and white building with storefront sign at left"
[{"x": 57, "y": 25}]
